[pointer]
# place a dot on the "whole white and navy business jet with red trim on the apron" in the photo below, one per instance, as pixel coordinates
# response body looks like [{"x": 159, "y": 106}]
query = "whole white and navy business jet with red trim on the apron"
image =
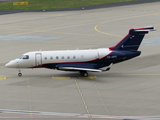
[{"x": 84, "y": 61}]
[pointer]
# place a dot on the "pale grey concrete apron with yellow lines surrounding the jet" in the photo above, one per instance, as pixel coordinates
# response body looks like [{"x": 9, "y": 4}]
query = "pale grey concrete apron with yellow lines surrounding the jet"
[{"x": 130, "y": 90}]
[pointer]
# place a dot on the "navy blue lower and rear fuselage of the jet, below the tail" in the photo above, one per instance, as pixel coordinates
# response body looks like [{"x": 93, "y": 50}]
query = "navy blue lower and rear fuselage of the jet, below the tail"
[{"x": 114, "y": 57}]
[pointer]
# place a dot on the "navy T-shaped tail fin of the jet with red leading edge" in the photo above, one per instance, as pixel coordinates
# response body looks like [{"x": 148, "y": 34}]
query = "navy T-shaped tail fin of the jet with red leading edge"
[{"x": 133, "y": 40}]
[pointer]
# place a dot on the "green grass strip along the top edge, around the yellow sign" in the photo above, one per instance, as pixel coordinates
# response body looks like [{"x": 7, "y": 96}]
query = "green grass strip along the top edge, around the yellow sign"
[{"x": 54, "y": 4}]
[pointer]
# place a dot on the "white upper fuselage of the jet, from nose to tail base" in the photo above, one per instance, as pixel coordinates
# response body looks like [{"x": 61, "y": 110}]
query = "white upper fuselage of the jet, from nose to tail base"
[{"x": 37, "y": 58}]
